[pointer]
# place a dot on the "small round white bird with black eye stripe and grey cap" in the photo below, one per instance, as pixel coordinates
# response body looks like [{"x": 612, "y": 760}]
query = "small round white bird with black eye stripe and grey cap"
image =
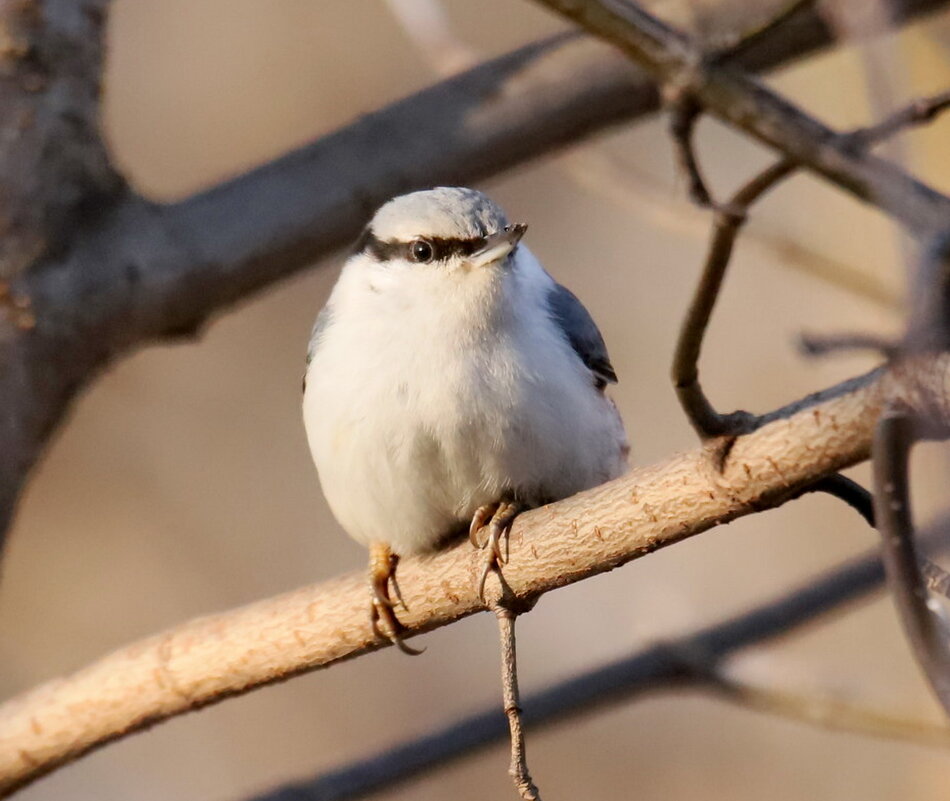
[{"x": 450, "y": 383}]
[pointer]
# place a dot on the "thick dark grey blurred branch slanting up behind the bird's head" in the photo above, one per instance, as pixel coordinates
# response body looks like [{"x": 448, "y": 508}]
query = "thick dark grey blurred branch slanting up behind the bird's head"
[{"x": 136, "y": 272}]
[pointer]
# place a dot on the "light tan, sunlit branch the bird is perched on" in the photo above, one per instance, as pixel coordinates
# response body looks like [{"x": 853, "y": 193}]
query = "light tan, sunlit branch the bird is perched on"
[{"x": 556, "y": 545}]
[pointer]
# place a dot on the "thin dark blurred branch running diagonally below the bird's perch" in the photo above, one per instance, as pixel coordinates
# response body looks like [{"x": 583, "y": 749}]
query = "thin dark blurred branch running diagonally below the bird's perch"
[{"x": 660, "y": 667}]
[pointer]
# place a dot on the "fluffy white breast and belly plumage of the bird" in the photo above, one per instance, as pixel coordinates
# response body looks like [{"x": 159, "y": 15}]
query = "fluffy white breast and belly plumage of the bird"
[{"x": 431, "y": 394}]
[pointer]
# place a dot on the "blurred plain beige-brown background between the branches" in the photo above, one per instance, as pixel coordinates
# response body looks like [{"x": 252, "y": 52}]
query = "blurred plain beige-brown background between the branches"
[{"x": 182, "y": 484}]
